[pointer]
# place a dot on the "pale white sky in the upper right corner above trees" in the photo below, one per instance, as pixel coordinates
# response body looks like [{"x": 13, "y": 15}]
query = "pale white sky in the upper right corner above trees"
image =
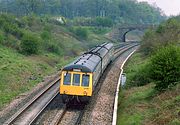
[{"x": 169, "y": 7}]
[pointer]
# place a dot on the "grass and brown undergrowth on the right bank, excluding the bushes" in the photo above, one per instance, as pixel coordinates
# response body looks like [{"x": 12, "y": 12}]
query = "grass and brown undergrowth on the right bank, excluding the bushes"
[{"x": 144, "y": 105}]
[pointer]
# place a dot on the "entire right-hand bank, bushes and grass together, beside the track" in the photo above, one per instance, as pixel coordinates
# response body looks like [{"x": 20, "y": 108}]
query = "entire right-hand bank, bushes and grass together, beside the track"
[{"x": 153, "y": 79}]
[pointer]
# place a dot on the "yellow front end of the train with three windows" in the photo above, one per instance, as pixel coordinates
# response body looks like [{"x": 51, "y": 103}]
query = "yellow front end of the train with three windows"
[{"x": 76, "y": 85}]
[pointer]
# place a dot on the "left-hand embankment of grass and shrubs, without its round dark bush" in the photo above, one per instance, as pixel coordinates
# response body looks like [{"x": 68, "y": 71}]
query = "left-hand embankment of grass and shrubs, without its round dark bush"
[{"x": 58, "y": 45}]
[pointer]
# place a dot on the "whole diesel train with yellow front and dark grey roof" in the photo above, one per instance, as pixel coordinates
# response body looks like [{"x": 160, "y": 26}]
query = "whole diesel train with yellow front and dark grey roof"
[{"x": 78, "y": 79}]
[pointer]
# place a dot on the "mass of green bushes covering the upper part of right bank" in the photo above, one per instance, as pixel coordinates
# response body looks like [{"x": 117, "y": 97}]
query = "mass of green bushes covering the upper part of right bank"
[{"x": 161, "y": 57}]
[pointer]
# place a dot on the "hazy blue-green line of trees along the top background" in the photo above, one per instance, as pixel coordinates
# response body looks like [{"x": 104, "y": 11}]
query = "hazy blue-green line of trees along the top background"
[{"x": 120, "y": 11}]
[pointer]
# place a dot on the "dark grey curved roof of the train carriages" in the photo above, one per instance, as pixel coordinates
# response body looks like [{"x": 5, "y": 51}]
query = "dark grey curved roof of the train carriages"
[{"x": 89, "y": 60}]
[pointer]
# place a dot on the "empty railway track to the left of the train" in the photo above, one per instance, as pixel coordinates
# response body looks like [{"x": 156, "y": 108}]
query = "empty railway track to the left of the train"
[{"x": 29, "y": 112}]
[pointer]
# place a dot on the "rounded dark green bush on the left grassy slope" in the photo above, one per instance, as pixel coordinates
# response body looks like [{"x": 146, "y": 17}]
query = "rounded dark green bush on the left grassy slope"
[{"x": 30, "y": 44}]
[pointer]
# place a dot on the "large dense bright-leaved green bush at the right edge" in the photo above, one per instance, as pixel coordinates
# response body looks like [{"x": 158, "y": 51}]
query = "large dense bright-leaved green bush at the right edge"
[{"x": 165, "y": 67}]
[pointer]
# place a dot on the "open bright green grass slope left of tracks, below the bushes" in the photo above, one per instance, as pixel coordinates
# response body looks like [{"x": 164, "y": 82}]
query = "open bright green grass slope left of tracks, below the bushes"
[{"x": 20, "y": 73}]
